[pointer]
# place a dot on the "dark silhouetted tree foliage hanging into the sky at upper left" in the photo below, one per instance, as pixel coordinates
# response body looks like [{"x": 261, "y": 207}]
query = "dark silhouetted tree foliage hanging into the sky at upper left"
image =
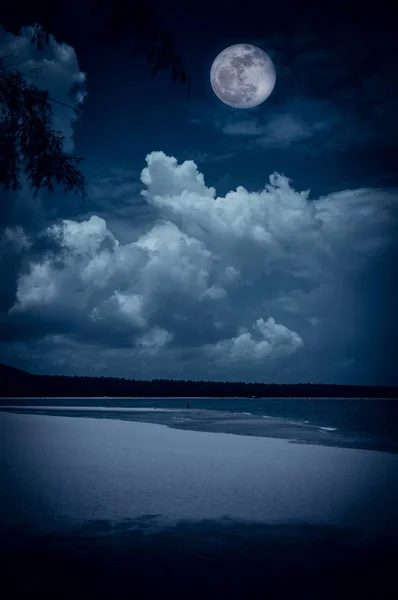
[{"x": 28, "y": 140}]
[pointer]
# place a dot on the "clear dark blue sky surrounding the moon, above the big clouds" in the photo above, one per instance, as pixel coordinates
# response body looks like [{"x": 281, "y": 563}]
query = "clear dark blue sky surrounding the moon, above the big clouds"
[{"x": 334, "y": 65}]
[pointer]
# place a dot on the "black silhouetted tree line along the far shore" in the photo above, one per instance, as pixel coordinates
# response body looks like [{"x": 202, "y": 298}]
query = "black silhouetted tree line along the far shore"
[{"x": 14, "y": 383}]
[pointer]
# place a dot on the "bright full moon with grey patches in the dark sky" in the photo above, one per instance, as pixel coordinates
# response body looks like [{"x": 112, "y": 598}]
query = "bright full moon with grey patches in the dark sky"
[{"x": 242, "y": 76}]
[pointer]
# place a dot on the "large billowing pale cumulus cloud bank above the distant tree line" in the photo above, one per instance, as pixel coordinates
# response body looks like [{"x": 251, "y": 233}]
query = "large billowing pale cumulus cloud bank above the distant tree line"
[{"x": 215, "y": 283}]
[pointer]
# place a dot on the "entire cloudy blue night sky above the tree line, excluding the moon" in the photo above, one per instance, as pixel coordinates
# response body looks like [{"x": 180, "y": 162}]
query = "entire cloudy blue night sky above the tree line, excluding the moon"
[{"x": 284, "y": 272}]
